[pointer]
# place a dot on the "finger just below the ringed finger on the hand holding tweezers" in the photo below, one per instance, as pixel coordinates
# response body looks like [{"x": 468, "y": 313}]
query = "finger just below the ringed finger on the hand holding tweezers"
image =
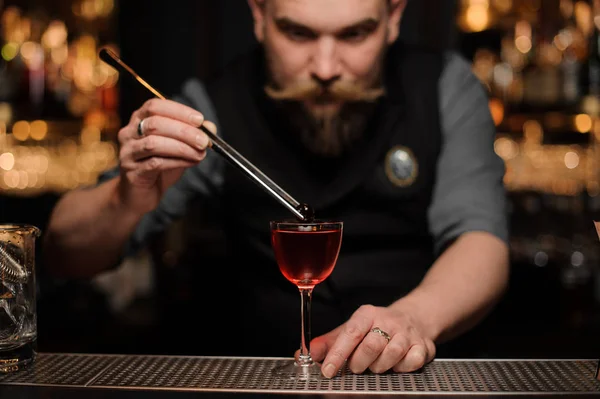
[{"x": 164, "y": 147}]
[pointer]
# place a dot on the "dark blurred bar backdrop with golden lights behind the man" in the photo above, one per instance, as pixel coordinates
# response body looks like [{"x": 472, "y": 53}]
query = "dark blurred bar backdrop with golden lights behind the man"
[{"x": 60, "y": 110}]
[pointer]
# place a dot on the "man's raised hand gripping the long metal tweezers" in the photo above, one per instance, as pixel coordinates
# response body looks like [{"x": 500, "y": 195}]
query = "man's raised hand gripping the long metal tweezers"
[{"x": 154, "y": 156}]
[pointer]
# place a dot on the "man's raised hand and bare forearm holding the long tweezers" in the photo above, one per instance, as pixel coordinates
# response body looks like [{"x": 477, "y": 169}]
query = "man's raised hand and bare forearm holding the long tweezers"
[{"x": 89, "y": 227}]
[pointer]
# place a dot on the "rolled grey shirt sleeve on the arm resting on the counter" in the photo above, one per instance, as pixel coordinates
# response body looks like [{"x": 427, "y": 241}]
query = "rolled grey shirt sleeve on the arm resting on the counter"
[{"x": 469, "y": 193}]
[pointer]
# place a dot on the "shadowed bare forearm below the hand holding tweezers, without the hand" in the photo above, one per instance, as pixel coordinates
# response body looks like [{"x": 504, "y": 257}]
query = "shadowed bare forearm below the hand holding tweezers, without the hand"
[{"x": 87, "y": 231}]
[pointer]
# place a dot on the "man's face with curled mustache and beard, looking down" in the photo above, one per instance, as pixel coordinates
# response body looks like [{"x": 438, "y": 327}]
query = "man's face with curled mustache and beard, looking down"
[{"x": 326, "y": 53}]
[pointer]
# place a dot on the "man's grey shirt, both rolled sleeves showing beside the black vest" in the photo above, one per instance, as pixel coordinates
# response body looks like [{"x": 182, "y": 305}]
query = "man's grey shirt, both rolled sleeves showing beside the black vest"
[{"x": 469, "y": 194}]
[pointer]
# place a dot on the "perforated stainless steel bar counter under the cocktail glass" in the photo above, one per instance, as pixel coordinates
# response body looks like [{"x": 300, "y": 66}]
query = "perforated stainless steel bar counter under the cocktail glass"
[{"x": 89, "y": 376}]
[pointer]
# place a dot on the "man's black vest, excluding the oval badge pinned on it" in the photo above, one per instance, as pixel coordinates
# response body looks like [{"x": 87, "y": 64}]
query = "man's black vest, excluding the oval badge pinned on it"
[{"x": 386, "y": 246}]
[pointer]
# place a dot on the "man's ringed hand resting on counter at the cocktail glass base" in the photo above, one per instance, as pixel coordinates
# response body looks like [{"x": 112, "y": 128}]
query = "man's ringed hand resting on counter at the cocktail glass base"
[{"x": 408, "y": 348}]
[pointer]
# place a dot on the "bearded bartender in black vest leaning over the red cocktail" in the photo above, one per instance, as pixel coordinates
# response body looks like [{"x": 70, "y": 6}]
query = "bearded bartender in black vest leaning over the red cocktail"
[{"x": 394, "y": 140}]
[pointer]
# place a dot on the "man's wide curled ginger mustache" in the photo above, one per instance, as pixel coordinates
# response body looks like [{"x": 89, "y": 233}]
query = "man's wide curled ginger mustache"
[{"x": 337, "y": 91}]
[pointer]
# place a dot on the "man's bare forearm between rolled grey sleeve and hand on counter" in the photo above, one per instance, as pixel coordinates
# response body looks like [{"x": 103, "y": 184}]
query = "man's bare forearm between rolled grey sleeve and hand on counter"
[{"x": 461, "y": 287}]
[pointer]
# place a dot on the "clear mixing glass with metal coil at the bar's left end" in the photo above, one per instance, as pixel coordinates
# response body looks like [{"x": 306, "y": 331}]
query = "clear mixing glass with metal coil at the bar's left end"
[{"x": 18, "y": 319}]
